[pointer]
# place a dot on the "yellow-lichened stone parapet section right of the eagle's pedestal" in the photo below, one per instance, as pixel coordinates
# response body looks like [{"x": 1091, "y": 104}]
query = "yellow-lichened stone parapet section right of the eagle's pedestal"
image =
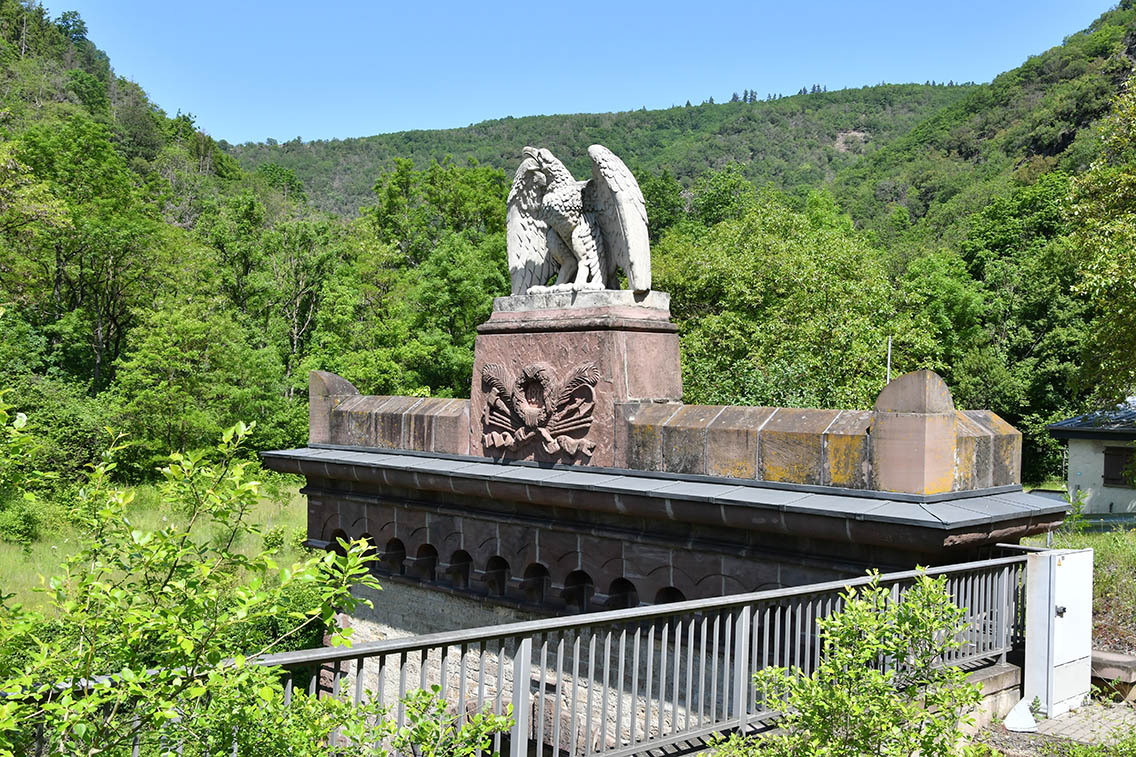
[{"x": 823, "y": 448}]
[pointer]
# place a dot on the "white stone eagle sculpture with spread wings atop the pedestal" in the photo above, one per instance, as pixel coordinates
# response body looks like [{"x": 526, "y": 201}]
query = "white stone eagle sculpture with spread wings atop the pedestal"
[{"x": 584, "y": 232}]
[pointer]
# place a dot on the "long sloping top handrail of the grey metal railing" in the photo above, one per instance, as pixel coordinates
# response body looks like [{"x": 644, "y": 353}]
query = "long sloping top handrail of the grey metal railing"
[{"x": 605, "y": 618}]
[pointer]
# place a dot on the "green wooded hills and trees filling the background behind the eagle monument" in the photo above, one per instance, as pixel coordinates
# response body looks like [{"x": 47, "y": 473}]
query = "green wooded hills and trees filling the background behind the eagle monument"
[{"x": 151, "y": 284}]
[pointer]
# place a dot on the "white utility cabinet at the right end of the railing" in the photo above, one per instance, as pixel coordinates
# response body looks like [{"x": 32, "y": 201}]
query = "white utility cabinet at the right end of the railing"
[{"x": 1059, "y": 629}]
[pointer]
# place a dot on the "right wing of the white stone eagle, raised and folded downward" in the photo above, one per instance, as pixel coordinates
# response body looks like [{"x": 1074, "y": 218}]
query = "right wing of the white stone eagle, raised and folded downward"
[{"x": 616, "y": 199}]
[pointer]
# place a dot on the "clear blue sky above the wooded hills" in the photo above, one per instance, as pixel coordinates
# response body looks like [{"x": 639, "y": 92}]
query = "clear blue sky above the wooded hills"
[{"x": 249, "y": 71}]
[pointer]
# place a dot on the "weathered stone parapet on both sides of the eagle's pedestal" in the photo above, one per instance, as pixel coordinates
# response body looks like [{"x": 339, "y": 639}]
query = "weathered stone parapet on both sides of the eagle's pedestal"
[{"x": 914, "y": 442}]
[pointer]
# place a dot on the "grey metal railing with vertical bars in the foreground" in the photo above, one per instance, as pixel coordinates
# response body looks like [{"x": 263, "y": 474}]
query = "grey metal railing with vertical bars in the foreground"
[{"x": 623, "y": 683}]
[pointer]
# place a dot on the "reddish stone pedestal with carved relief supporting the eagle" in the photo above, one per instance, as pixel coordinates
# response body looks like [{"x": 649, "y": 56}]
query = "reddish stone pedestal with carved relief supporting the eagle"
[{"x": 550, "y": 371}]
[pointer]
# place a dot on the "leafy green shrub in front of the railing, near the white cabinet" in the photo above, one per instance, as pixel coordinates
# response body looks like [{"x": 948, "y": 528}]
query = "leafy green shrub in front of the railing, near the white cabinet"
[{"x": 854, "y": 703}]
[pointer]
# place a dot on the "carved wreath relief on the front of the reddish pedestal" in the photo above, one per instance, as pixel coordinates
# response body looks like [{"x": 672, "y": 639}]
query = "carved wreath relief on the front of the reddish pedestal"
[{"x": 537, "y": 405}]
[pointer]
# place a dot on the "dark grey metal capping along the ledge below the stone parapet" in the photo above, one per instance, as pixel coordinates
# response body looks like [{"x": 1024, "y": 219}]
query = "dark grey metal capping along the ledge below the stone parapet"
[{"x": 963, "y": 511}]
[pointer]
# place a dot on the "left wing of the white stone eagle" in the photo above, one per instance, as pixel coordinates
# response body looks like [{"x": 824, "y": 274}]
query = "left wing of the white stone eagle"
[{"x": 528, "y": 247}]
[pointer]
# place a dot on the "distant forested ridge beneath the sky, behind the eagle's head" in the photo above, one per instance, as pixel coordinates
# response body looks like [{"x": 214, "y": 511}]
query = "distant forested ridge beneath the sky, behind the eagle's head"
[{"x": 792, "y": 143}]
